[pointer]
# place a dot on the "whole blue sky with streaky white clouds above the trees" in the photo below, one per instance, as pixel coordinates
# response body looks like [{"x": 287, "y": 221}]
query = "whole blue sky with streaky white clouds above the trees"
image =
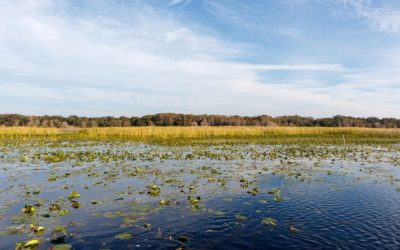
[{"x": 235, "y": 57}]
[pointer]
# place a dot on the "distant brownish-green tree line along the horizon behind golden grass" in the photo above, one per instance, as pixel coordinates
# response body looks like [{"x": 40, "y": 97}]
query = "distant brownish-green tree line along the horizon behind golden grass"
[{"x": 171, "y": 119}]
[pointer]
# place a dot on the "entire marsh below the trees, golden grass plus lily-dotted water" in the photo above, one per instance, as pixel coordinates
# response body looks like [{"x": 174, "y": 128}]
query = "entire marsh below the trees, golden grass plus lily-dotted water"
[{"x": 199, "y": 188}]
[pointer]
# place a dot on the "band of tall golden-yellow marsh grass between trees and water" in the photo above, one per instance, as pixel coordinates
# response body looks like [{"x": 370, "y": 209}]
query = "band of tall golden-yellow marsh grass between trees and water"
[{"x": 210, "y": 135}]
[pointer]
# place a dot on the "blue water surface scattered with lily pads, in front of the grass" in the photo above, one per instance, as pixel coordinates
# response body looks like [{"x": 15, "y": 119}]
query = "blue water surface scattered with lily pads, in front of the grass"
[{"x": 346, "y": 204}]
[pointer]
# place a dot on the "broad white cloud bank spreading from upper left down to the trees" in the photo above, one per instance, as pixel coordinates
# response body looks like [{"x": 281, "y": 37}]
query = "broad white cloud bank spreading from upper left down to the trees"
[{"x": 150, "y": 62}]
